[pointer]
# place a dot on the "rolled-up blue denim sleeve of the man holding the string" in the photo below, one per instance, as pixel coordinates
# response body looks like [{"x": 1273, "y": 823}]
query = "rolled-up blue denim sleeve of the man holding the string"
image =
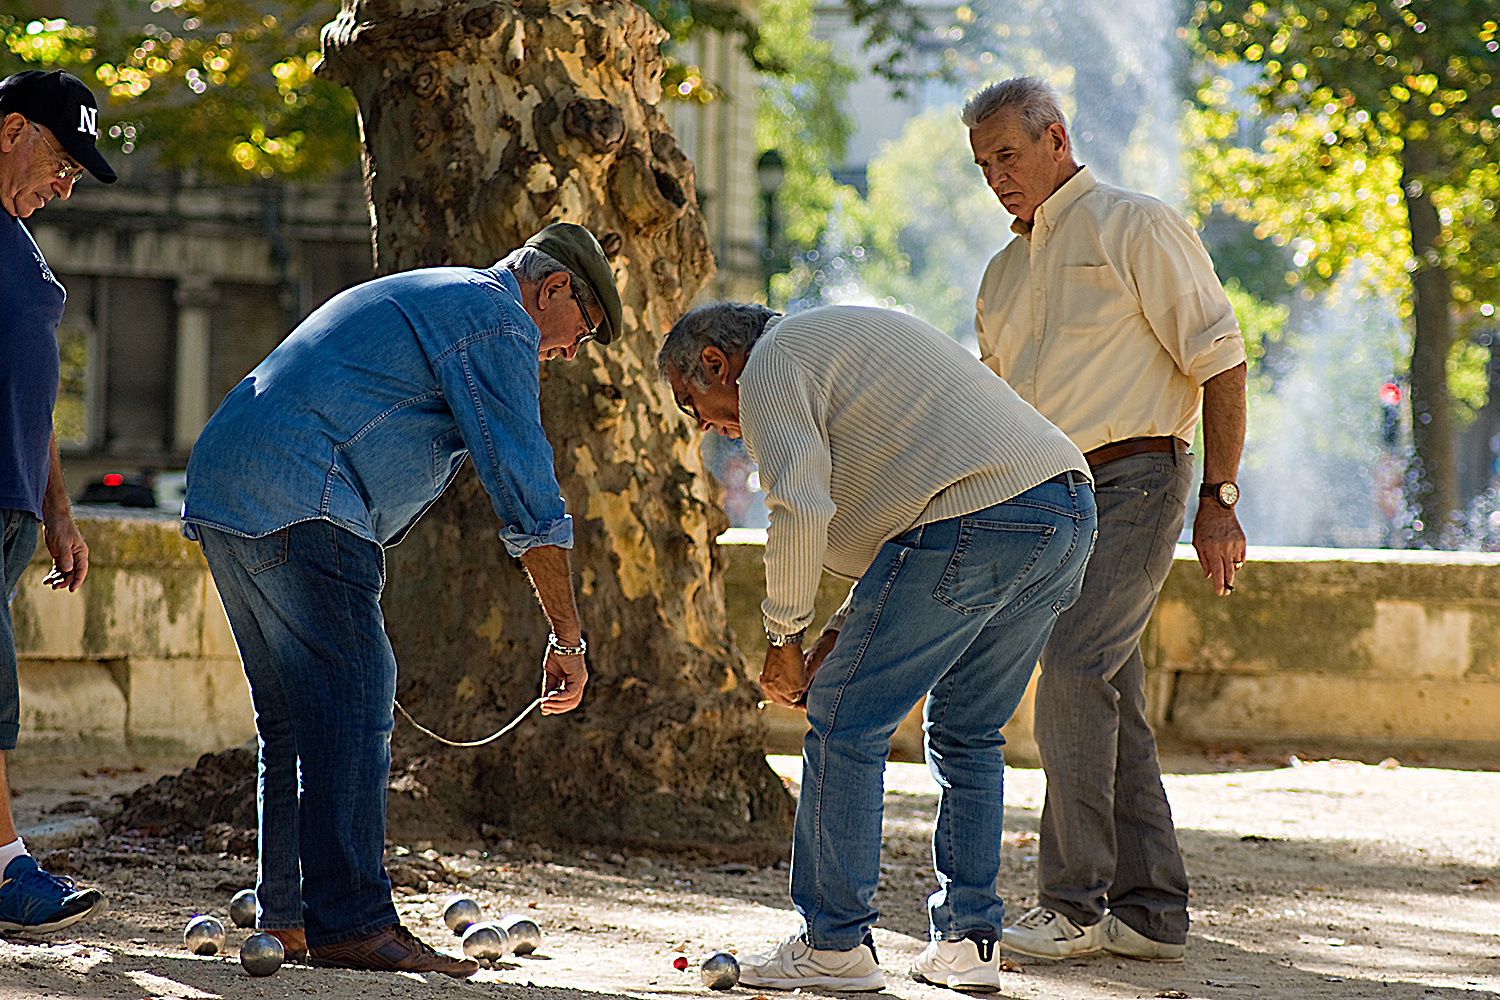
[{"x": 493, "y": 386}]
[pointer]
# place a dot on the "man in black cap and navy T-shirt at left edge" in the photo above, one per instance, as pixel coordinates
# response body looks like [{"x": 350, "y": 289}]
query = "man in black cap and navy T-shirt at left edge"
[{"x": 49, "y": 124}]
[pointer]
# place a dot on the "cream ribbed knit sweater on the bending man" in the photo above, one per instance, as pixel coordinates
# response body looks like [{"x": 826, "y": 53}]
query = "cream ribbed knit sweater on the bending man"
[{"x": 869, "y": 422}]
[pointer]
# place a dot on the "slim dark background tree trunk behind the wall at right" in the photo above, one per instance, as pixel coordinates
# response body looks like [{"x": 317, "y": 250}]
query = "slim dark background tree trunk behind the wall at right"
[{"x": 1433, "y": 478}]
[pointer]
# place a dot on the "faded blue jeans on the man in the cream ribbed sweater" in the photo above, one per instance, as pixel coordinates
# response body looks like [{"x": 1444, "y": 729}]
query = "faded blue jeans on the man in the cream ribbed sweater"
[{"x": 955, "y": 611}]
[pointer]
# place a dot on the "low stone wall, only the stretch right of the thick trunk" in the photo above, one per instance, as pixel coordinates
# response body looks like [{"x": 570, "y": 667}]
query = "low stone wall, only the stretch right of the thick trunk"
[{"x": 1322, "y": 651}]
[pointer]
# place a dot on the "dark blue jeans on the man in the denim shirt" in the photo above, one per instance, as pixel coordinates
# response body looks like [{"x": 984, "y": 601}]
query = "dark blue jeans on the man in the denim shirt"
[{"x": 305, "y": 608}]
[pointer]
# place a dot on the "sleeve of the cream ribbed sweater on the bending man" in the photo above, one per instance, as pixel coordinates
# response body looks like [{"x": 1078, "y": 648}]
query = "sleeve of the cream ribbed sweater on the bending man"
[{"x": 788, "y": 442}]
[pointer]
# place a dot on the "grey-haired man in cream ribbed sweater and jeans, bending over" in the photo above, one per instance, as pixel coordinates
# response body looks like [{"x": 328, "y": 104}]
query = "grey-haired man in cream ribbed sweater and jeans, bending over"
[{"x": 893, "y": 458}]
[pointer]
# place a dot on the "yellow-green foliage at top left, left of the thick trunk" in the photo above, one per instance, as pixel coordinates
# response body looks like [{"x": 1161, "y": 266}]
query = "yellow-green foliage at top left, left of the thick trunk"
[{"x": 218, "y": 86}]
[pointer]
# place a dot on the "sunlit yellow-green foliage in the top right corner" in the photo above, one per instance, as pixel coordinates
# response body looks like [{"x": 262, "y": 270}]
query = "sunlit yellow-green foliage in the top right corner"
[{"x": 1346, "y": 86}]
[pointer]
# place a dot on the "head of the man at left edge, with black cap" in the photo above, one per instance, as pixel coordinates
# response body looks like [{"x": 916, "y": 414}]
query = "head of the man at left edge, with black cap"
[{"x": 49, "y": 128}]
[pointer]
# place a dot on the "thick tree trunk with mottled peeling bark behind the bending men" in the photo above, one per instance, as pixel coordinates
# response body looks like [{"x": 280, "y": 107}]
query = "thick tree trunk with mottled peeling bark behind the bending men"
[{"x": 484, "y": 122}]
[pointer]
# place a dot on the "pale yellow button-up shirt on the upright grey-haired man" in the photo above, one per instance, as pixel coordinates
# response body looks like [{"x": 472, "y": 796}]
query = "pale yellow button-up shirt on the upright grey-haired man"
[{"x": 1106, "y": 316}]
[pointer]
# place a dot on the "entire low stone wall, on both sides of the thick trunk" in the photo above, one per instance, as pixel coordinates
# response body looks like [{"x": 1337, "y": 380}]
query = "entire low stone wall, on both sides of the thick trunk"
[{"x": 1343, "y": 651}]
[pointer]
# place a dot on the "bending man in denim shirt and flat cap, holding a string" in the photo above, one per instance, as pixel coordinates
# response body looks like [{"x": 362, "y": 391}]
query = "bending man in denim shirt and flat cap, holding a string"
[{"x": 322, "y": 457}]
